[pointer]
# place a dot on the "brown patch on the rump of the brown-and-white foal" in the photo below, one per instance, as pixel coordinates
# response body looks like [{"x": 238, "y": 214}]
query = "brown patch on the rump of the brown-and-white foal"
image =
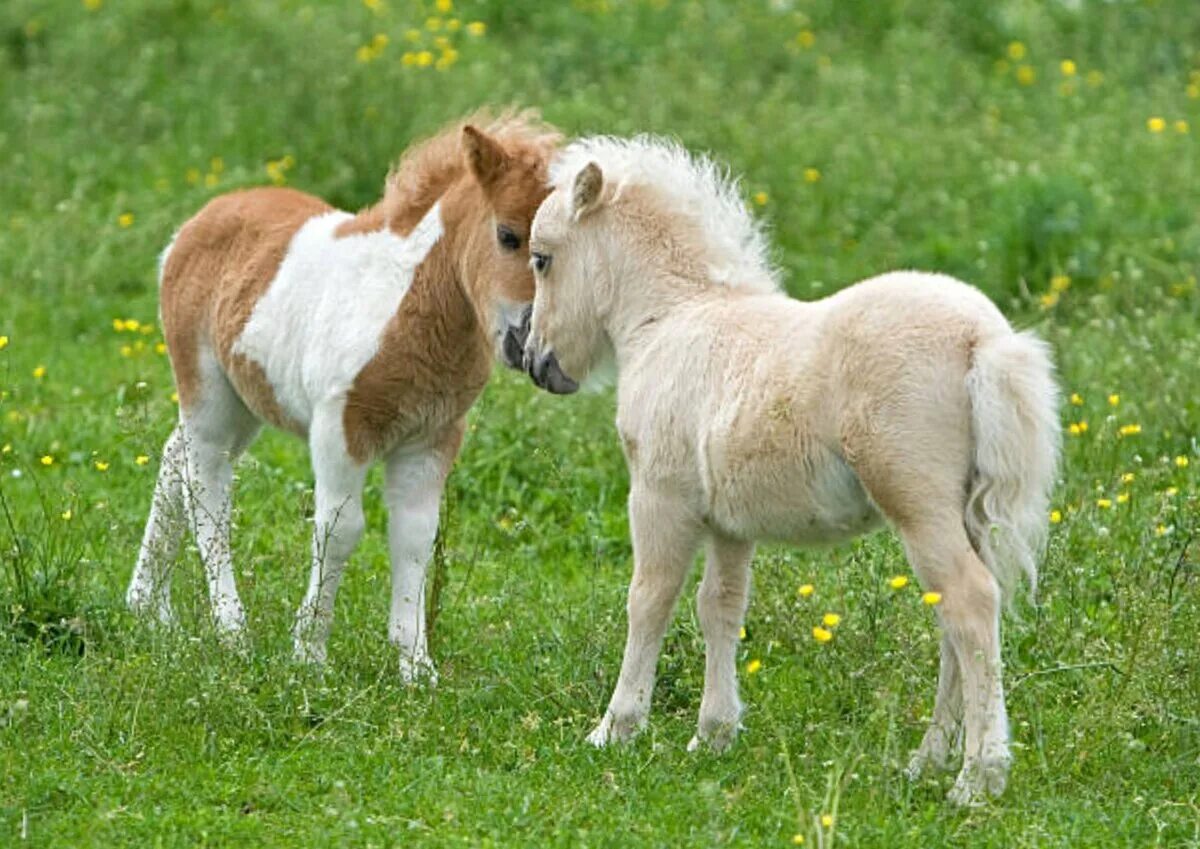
[{"x": 219, "y": 268}]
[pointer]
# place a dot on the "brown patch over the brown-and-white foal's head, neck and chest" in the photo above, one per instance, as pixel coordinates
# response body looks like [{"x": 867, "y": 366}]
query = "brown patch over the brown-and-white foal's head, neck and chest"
[{"x": 437, "y": 351}]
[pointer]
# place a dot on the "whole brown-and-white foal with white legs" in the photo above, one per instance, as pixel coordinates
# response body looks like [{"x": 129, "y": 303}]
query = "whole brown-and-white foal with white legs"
[{"x": 369, "y": 336}]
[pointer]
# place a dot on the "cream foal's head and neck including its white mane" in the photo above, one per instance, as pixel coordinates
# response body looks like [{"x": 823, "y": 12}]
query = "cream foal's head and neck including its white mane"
[{"x": 629, "y": 227}]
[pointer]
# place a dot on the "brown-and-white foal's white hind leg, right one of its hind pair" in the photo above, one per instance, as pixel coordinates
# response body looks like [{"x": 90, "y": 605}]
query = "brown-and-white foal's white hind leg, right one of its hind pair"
[{"x": 218, "y": 427}]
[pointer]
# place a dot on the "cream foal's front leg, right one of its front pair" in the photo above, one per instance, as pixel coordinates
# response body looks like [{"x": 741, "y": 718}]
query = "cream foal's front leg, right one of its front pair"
[{"x": 722, "y": 606}]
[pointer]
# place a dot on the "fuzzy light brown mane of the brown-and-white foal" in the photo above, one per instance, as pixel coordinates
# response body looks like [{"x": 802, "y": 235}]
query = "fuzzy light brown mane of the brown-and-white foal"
[{"x": 429, "y": 168}]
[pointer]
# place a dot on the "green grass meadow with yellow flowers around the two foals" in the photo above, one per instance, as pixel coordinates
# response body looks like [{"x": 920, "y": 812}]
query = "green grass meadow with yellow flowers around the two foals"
[{"x": 1046, "y": 152}]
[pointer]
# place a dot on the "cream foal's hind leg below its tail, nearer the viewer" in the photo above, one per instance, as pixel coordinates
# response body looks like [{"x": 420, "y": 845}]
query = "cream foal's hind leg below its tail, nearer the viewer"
[{"x": 946, "y": 562}]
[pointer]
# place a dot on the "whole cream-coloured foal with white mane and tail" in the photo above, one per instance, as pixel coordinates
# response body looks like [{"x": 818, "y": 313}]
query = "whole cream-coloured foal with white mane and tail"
[{"x": 747, "y": 416}]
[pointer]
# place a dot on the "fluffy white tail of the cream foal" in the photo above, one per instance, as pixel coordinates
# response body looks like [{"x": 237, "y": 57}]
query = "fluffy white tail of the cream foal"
[{"x": 1015, "y": 410}]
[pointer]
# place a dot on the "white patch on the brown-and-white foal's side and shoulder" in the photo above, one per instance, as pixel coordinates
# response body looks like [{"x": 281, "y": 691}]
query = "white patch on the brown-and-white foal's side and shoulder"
[{"x": 323, "y": 316}]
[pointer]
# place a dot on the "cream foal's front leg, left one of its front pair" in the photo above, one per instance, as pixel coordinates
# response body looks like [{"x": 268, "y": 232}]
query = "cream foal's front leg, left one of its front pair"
[{"x": 665, "y": 539}]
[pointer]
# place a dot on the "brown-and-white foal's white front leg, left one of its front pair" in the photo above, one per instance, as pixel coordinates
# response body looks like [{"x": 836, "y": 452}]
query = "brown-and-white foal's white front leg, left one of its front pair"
[{"x": 338, "y": 527}]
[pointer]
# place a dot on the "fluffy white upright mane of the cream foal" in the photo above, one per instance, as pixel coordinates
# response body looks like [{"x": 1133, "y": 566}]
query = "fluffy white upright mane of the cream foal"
[{"x": 691, "y": 188}]
